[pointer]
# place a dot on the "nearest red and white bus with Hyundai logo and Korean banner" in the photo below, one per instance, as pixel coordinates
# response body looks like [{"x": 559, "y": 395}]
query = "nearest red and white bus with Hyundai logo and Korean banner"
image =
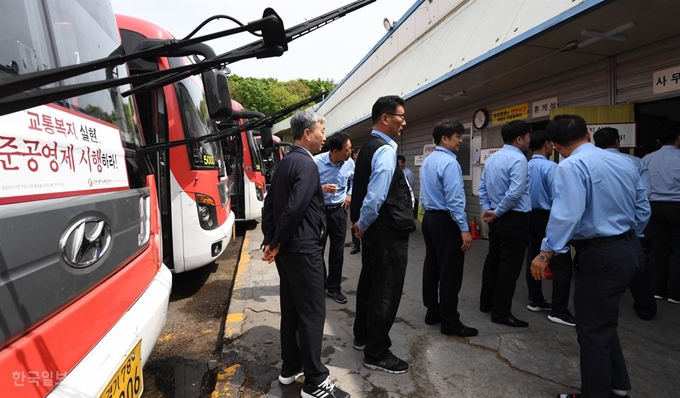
[{"x": 84, "y": 293}]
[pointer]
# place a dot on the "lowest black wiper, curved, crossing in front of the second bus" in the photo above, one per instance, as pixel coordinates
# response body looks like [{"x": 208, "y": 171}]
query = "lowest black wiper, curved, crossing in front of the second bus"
[{"x": 267, "y": 120}]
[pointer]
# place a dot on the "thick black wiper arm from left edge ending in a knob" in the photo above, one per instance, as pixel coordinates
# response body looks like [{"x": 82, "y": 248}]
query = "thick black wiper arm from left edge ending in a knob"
[{"x": 270, "y": 25}]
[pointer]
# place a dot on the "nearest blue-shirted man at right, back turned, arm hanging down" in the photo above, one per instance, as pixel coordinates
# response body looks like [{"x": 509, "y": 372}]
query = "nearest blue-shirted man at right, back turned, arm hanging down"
[{"x": 600, "y": 205}]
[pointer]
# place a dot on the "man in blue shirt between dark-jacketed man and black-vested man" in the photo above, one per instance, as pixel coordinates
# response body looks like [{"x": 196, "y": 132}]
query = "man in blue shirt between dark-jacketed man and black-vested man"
[{"x": 335, "y": 171}]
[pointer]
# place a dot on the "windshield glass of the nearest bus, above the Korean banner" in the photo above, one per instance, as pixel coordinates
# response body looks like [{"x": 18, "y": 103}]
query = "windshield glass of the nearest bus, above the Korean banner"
[{"x": 40, "y": 35}]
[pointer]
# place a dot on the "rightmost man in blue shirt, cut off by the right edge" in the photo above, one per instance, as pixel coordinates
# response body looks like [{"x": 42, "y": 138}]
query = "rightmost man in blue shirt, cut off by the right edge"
[{"x": 664, "y": 226}]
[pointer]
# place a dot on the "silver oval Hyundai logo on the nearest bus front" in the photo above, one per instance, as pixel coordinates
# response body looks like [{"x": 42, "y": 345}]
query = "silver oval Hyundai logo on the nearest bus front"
[{"x": 85, "y": 242}]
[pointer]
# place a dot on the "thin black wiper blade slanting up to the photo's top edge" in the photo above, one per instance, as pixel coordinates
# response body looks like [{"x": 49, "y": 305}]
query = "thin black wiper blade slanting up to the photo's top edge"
[{"x": 244, "y": 52}]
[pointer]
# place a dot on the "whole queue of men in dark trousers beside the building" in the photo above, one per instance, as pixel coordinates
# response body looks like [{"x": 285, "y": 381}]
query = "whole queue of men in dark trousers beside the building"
[{"x": 595, "y": 201}]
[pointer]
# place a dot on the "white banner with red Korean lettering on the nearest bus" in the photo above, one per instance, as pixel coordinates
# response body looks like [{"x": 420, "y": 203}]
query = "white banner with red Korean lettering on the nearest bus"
[{"x": 49, "y": 151}]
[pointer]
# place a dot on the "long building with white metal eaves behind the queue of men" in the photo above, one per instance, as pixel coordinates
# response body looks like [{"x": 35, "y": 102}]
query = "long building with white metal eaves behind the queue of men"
[{"x": 611, "y": 61}]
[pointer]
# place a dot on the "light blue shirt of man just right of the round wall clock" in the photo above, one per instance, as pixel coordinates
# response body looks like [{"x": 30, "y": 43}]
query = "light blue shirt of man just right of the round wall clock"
[{"x": 504, "y": 184}]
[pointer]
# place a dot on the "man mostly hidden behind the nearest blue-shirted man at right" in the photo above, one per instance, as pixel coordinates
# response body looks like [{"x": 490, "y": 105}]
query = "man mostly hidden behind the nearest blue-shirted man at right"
[{"x": 642, "y": 290}]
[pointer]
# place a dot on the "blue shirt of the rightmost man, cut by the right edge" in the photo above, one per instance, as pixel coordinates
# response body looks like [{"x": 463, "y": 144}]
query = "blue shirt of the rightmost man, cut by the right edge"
[{"x": 664, "y": 172}]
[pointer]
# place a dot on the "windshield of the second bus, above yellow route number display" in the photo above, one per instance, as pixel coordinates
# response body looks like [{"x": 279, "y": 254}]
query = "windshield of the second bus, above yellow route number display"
[{"x": 197, "y": 122}]
